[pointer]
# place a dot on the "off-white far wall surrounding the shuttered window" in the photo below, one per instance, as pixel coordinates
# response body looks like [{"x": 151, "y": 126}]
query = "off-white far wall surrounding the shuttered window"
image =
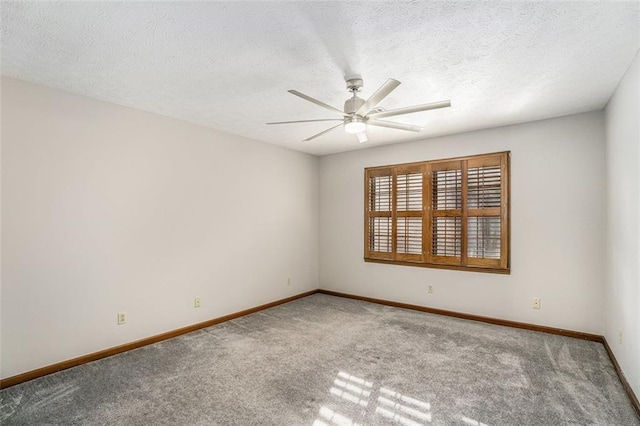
[{"x": 557, "y": 191}]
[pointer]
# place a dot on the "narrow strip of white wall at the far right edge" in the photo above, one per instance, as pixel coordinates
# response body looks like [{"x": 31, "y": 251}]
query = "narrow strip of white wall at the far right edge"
[{"x": 622, "y": 283}]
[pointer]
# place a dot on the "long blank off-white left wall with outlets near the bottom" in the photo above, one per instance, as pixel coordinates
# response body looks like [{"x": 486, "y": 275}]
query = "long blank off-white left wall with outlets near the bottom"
[{"x": 108, "y": 209}]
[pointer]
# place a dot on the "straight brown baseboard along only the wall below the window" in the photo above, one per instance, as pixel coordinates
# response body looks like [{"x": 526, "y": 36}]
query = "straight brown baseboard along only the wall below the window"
[{"x": 497, "y": 321}]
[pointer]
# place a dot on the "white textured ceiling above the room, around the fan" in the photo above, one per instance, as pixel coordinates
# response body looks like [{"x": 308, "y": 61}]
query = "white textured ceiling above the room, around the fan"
[{"x": 228, "y": 65}]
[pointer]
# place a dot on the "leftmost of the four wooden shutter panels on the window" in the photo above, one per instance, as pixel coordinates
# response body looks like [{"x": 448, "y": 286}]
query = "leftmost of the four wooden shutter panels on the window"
[{"x": 379, "y": 210}]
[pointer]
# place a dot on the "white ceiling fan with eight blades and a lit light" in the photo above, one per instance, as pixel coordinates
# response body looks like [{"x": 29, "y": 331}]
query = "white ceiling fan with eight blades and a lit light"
[{"x": 358, "y": 112}]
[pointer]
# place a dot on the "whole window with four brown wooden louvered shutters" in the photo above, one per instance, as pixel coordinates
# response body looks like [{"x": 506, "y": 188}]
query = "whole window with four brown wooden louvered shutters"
[{"x": 444, "y": 214}]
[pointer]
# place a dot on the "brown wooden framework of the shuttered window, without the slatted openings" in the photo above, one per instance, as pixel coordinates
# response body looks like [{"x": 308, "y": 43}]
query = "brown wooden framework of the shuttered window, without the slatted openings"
[{"x": 464, "y": 260}]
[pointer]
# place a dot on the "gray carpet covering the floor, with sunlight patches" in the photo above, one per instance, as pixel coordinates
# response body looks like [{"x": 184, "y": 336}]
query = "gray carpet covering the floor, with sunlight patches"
[{"x": 325, "y": 360}]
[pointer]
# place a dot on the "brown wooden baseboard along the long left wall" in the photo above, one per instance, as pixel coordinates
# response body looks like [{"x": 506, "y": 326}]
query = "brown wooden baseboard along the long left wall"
[{"x": 30, "y": 375}]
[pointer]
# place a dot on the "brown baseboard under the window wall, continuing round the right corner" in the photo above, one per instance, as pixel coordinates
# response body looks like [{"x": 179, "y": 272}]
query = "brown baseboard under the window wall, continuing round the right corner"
[{"x": 515, "y": 324}]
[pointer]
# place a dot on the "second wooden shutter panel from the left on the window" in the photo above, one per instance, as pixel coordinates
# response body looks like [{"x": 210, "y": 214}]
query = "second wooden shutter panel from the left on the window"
[{"x": 409, "y": 213}]
